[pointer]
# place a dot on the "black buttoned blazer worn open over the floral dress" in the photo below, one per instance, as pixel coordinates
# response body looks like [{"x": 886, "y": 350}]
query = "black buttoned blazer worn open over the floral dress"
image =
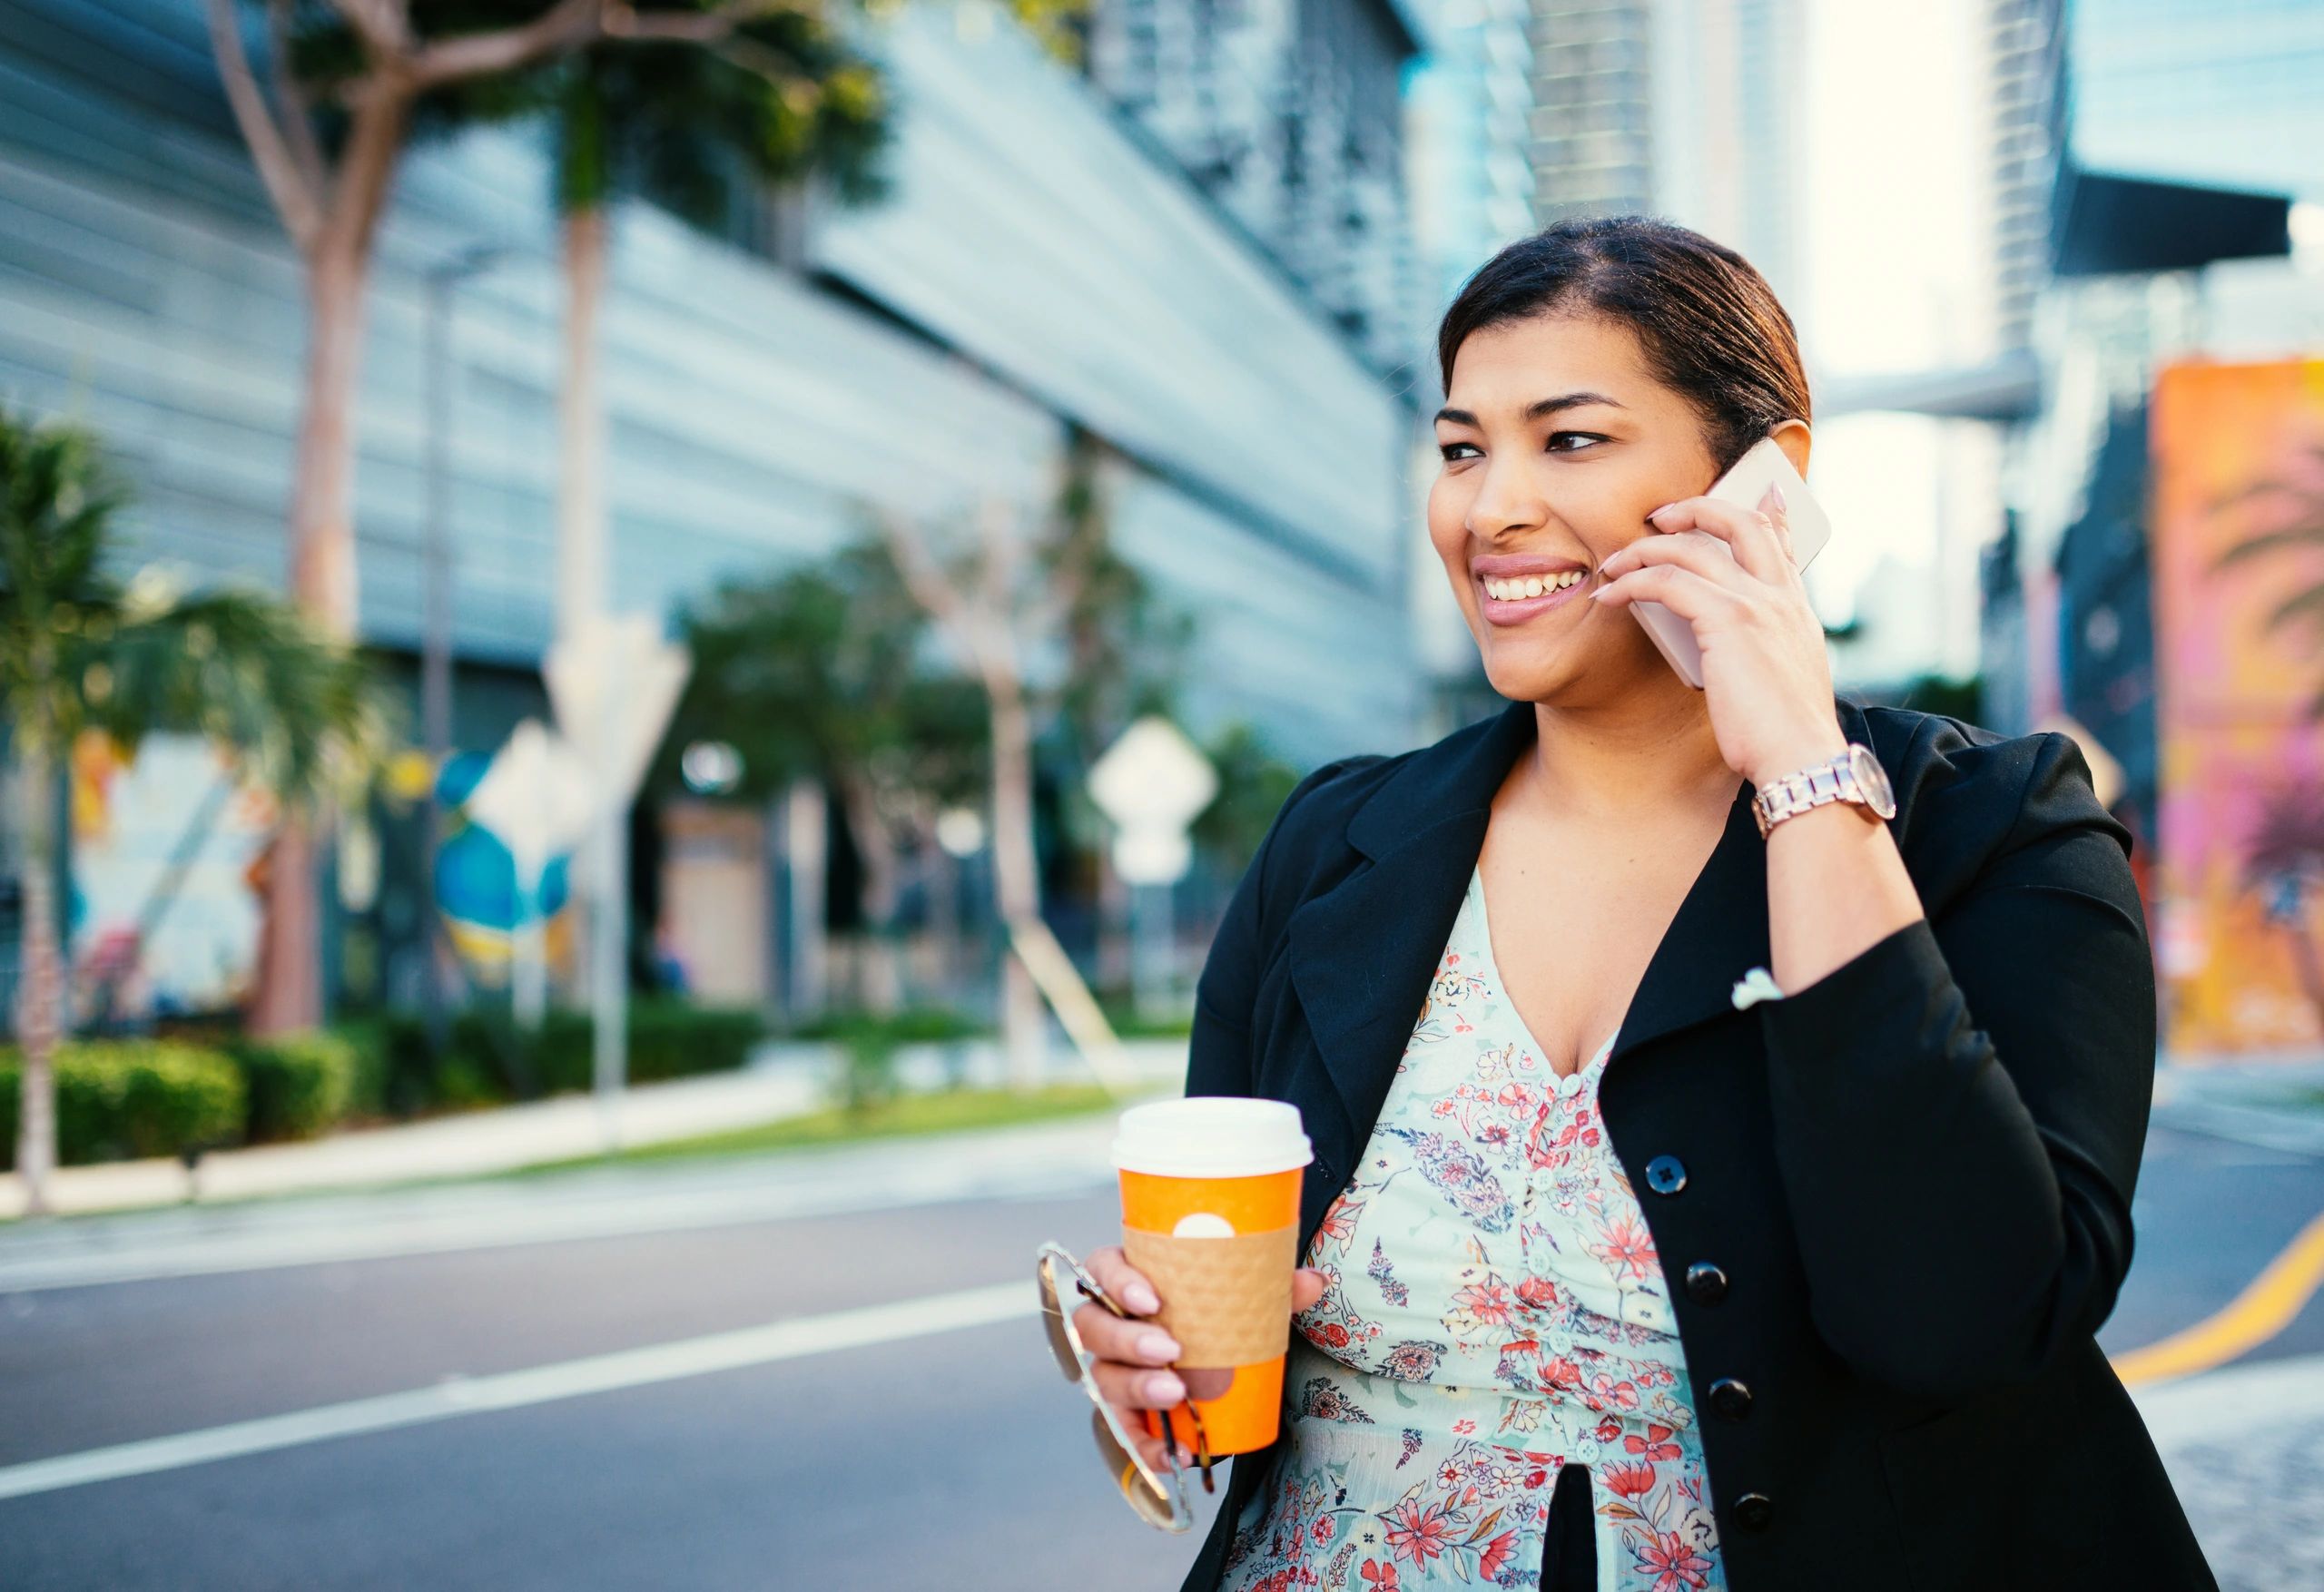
[{"x": 1914, "y": 1175}]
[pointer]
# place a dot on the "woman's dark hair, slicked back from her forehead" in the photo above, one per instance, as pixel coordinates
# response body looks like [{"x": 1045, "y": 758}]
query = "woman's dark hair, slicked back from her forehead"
[{"x": 1709, "y": 324}]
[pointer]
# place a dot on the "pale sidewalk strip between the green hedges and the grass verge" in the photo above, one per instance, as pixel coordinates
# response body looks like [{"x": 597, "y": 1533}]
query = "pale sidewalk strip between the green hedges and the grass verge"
[{"x": 782, "y": 1082}]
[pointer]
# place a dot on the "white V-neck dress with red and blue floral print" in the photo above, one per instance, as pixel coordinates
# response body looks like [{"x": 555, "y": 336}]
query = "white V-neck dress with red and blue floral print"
[{"x": 1493, "y": 1312}]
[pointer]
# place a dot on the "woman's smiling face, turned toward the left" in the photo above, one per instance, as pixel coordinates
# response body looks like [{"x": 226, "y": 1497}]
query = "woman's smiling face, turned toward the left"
[{"x": 1556, "y": 443}]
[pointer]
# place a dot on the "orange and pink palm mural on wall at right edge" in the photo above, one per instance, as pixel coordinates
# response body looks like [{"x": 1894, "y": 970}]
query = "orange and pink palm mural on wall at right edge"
[{"x": 2239, "y": 615}]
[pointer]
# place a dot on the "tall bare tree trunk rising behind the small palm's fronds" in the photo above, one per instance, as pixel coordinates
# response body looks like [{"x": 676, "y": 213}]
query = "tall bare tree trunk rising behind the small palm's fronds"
[{"x": 289, "y": 991}]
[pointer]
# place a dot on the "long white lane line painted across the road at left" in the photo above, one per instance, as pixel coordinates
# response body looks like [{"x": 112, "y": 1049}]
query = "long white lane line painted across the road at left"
[{"x": 508, "y": 1391}]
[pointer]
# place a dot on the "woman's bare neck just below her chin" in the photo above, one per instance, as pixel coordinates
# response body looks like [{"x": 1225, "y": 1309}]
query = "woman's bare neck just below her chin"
[{"x": 1651, "y": 750}]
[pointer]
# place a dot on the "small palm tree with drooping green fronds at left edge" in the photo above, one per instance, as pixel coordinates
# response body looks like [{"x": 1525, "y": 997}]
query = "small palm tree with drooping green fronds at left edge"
[{"x": 83, "y": 652}]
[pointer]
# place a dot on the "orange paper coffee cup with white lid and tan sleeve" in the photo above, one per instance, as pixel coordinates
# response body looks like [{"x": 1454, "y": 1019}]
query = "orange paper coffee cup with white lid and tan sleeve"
[{"x": 1212, "y": 1219}]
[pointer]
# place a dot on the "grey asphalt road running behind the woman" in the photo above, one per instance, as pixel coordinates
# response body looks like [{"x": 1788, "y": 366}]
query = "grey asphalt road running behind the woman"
[{"x": 949, "y": 1461}]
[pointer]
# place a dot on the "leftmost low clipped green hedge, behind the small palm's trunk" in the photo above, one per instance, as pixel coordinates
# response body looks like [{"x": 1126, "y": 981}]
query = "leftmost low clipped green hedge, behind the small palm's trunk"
[{"x": 131, "y": 1098}]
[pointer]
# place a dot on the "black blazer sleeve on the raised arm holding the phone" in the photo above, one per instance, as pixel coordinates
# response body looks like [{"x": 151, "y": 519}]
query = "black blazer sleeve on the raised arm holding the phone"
[{"x": 1960, "y": 1110}]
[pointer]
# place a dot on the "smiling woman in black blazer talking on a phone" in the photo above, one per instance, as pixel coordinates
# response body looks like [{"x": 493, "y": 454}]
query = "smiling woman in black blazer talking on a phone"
[{"x": 1740, "y": 1207}]
